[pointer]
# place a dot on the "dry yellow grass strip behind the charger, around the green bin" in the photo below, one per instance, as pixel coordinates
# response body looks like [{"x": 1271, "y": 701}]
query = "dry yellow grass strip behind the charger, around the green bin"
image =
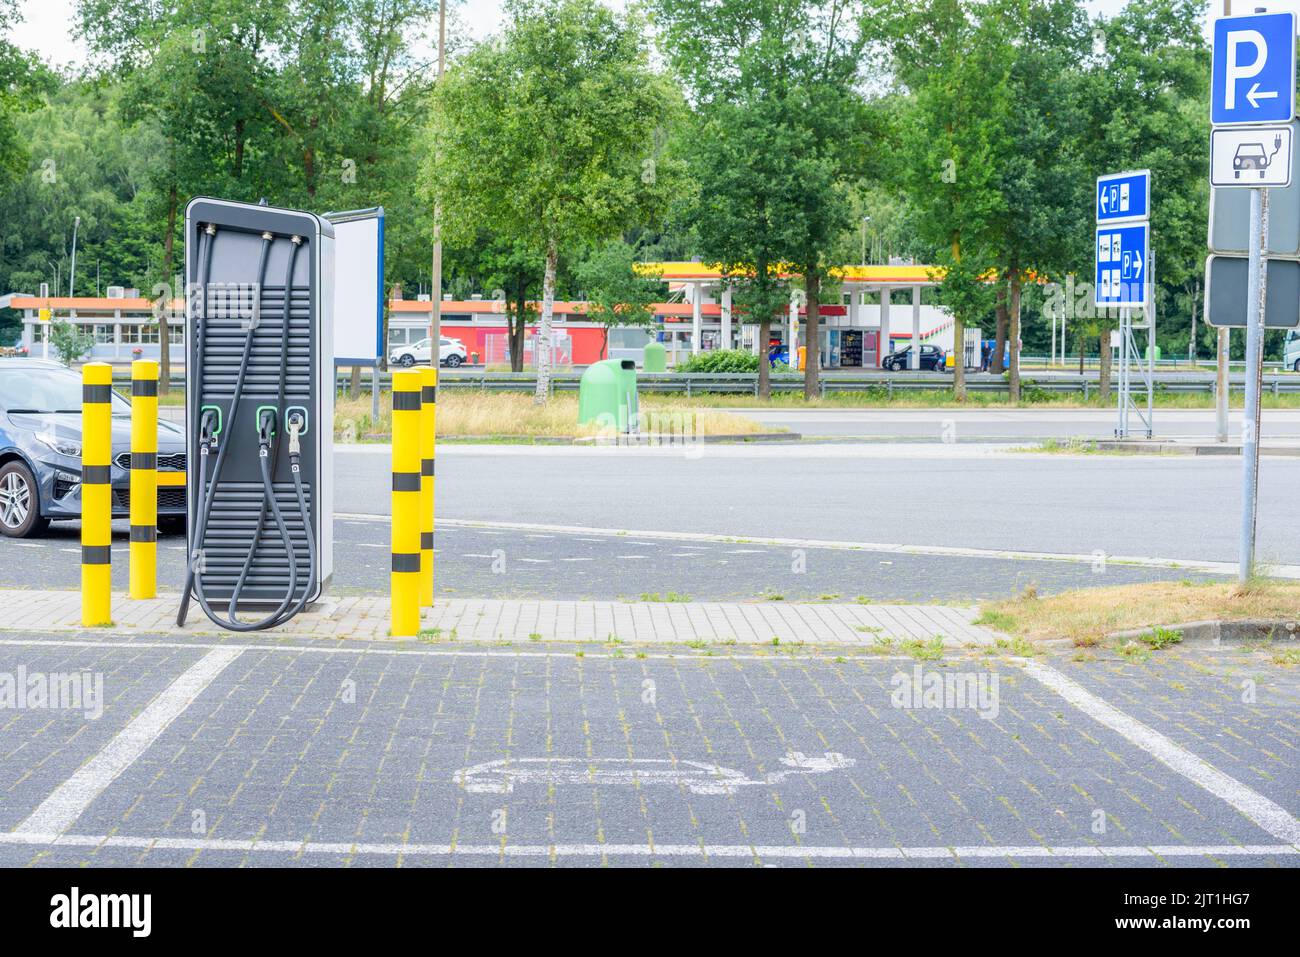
[{"x": 465, "y": 413}]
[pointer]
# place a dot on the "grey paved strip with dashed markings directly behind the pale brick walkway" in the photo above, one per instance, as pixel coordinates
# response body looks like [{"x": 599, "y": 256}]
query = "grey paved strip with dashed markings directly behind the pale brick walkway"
[{"x": 488, "y": 562}]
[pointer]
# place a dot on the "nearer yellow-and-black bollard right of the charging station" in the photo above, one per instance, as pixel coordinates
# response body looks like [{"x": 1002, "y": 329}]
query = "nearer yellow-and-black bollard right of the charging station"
[{"x": 406, "y": 505}]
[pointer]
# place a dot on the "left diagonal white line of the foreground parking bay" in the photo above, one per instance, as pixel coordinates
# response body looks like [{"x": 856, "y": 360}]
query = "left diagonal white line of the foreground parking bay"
[{"x": 71, "y": 799}]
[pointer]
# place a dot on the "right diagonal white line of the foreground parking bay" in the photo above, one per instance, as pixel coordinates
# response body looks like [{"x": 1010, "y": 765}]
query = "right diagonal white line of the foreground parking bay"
[{"x": 1254, "y": 806}]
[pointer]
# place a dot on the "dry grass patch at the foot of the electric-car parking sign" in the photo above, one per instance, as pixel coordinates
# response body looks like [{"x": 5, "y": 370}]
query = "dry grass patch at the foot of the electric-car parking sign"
[{"x": 1087, "y": 616}]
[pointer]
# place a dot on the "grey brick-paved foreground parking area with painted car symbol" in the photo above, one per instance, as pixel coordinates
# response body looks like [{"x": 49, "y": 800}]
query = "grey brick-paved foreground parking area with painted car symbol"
[{"x": 232, "y": 754}]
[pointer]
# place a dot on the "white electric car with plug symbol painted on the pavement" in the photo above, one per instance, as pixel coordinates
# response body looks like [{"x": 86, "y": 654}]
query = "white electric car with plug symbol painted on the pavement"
[{"x": 697, "y": 777}]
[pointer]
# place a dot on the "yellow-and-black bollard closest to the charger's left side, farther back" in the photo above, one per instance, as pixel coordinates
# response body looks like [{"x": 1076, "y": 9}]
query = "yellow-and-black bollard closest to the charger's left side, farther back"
[{"x": 145, "y": 478}]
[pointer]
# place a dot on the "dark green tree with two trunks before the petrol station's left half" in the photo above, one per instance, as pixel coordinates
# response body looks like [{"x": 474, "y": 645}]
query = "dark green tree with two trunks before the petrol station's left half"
[{"x": 778, "y": 137}]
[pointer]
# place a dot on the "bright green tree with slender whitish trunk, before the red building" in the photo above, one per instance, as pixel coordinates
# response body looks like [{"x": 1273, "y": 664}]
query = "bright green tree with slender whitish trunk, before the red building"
[{"x": 547, "y": 138}]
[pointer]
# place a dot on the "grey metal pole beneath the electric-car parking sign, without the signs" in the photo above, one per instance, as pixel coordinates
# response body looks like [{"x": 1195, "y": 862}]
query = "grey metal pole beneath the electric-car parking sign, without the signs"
[{"x": 1258, "y": 287}]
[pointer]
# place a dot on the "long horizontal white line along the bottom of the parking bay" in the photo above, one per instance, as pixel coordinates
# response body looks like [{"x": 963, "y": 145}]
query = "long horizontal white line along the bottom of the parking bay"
[{"x": 651, "y": 851}]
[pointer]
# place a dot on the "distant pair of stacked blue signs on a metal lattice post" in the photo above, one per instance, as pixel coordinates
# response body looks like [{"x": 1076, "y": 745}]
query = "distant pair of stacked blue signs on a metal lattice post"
[{"x": 1123, "y": 269}]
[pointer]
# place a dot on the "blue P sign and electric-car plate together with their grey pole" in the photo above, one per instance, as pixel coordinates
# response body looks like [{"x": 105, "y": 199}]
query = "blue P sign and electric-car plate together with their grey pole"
[{"x": 1253, "y": 84}]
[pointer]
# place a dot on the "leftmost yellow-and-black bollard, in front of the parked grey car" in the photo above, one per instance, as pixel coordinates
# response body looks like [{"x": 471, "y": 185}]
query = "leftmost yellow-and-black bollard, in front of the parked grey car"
[{"x": 97, "y": 493}]
